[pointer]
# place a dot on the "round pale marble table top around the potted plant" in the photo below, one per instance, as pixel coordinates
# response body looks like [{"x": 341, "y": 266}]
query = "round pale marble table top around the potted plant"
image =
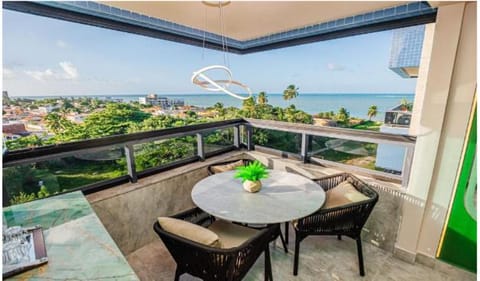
[{"x": 284, "y": 197}]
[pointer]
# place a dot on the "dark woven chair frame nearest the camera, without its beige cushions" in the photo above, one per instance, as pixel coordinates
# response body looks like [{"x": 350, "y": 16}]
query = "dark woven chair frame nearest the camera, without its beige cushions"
[{"x": 210, "y": 263}]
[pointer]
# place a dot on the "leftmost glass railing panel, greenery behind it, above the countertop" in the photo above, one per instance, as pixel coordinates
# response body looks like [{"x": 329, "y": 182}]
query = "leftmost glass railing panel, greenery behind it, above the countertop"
[{"x": 27, "y": 182}]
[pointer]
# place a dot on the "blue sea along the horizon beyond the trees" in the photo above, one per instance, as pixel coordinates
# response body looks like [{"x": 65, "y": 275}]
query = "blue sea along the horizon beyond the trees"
[{"x": 355, "y": 103}]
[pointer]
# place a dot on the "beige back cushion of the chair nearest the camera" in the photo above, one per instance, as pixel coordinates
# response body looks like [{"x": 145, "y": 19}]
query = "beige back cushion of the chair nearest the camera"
[{"x": 189, "y": 231}]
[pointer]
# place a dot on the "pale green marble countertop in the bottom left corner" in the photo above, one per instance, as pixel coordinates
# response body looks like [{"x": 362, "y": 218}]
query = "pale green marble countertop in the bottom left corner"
[{"x": 78, "y": 245}]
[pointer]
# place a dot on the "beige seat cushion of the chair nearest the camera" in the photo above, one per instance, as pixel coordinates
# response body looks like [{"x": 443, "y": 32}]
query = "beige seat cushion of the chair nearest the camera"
[{"x": 231, "y": 235}]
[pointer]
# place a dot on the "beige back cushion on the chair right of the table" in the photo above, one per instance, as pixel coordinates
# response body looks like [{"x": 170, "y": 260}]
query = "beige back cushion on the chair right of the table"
[{"x": 343, "y": 194}]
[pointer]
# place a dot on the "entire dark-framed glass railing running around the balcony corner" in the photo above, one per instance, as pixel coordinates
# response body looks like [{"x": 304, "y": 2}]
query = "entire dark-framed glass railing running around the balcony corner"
[{"x": 92, "y": 165}]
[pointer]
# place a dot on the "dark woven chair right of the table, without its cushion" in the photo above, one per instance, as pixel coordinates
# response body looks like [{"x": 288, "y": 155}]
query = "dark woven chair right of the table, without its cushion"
[{"x": 345, "y": 220}]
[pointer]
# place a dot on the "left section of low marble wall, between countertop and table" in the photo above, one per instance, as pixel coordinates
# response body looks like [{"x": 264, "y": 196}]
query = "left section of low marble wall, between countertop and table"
[{"x": 128, "y": 211}]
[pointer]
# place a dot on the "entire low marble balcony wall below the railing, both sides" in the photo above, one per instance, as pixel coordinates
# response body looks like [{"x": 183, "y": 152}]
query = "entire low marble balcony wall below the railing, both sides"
[{"x": 128, "y": 211}]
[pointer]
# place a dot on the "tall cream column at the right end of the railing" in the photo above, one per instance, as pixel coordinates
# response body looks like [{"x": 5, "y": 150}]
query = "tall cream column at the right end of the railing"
[{"x": 431, "y": 97}]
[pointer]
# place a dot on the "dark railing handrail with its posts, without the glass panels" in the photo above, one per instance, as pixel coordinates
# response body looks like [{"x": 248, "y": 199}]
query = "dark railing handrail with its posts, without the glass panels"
[{"x": 126, "y": 142}]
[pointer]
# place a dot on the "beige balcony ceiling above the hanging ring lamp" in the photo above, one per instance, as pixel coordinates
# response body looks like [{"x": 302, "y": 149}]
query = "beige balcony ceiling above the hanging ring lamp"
[{"x": 246, "y": 20}]
